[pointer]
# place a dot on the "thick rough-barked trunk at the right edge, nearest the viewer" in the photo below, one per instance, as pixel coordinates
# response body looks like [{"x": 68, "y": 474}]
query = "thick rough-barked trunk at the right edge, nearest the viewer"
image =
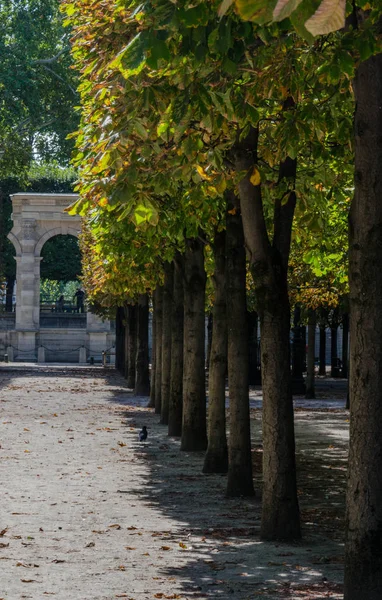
[{"x": 363, "y": 557}]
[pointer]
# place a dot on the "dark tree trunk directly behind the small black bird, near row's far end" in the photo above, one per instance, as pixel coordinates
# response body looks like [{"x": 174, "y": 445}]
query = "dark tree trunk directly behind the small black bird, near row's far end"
[{"x": 142, "y": 378}]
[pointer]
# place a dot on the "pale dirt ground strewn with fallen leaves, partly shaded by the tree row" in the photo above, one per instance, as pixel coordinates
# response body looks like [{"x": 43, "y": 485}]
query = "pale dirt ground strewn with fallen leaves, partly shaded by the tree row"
[{"x": 89, "y": 513}]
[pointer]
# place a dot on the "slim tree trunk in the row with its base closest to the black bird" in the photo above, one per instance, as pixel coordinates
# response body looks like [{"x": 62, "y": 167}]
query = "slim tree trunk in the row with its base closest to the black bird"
[{"x": 168, "y": 290}]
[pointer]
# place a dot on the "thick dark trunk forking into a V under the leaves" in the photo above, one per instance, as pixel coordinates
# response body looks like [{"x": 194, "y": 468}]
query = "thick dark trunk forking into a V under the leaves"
[{"x": 269, "y": 264}]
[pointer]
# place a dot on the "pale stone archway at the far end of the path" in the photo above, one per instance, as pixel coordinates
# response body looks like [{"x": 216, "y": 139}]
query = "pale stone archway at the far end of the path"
[{"x": 36, "y": 219}]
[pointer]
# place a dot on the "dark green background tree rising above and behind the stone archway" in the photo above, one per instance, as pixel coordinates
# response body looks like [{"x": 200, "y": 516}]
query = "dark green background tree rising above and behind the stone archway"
[{"x": 37, "y": 85}]
